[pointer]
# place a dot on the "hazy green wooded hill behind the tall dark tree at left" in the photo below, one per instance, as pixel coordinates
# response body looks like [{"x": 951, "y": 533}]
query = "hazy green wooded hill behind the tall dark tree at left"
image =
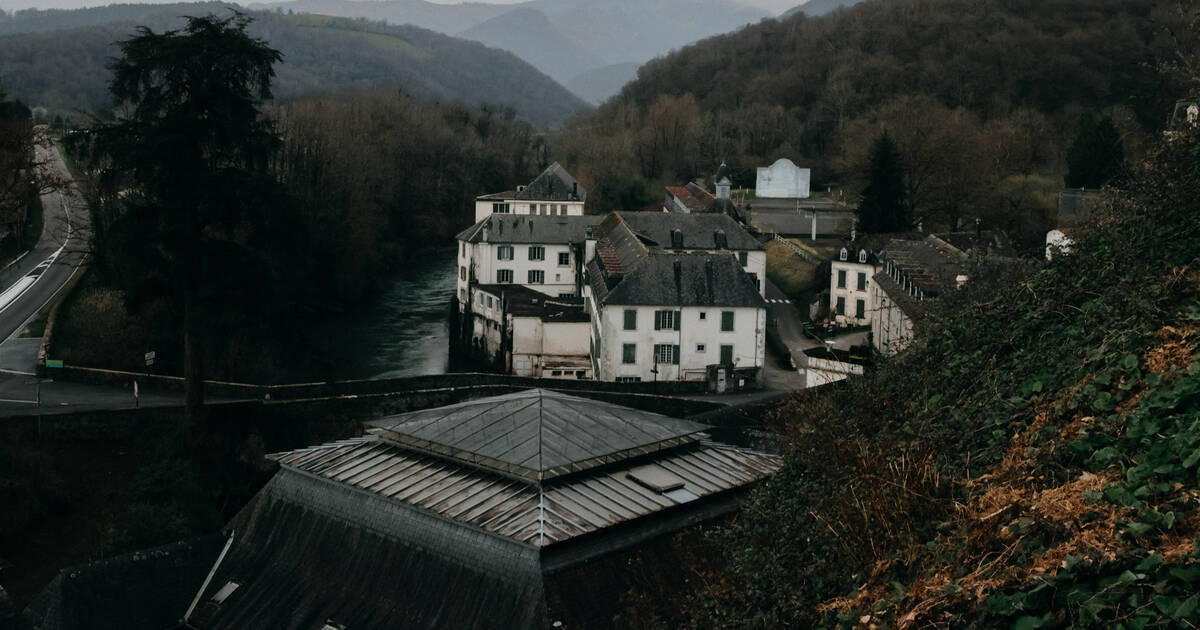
[{"x": 63, "y": 71}]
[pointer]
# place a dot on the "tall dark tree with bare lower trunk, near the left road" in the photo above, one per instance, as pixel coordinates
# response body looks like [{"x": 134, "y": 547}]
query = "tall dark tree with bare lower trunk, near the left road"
[{"x": 185, "y": 167}]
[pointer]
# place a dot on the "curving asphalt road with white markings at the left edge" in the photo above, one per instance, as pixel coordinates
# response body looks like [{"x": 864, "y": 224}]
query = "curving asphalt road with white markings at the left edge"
[{"x": 37, "y": 278}]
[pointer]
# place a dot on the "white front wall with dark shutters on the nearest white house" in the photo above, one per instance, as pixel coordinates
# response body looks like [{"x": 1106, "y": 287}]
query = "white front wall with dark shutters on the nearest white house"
[{"x": 700, "y": 341}]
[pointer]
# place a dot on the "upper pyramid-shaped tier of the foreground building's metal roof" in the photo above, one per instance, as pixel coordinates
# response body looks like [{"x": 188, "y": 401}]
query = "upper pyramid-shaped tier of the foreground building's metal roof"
[{"x": 537, "y": 435}]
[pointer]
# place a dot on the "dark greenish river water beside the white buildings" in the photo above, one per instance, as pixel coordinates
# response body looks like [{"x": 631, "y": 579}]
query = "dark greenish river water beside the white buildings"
[{"x": 406, "y": 332}]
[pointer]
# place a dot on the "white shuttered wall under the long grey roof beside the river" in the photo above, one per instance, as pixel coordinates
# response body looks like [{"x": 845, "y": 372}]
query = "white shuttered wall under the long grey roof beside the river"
[{"x": 500, "y": 263}]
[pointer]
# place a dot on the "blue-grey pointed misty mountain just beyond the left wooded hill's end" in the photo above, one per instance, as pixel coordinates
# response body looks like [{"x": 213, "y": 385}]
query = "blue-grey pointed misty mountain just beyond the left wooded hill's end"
[{"x": 530, "y": 35}]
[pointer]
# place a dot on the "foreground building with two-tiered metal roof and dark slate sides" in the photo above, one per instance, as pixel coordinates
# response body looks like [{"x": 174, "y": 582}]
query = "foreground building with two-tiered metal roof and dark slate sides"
[{"x": 523, "y": 511}]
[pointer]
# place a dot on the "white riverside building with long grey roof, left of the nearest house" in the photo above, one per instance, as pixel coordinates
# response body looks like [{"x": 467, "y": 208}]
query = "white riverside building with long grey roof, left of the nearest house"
[{"x": 545, "y": 254}]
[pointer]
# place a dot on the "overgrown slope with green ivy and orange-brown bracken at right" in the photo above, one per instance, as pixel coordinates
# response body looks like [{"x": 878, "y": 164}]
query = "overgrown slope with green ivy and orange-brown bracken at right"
[{"x": 1031, "y": 463}]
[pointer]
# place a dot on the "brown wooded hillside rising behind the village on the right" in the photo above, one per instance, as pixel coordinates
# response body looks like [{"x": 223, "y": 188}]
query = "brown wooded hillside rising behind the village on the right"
[{"x": 983, "y": 98}]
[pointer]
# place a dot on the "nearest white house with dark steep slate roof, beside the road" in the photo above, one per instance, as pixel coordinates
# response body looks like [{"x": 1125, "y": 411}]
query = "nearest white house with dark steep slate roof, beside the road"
[{"x": 670, "y": 315}]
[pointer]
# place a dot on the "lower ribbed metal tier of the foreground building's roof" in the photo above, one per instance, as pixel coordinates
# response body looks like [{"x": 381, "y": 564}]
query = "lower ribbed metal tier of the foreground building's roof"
[{"x": 532, "y": 514}]
